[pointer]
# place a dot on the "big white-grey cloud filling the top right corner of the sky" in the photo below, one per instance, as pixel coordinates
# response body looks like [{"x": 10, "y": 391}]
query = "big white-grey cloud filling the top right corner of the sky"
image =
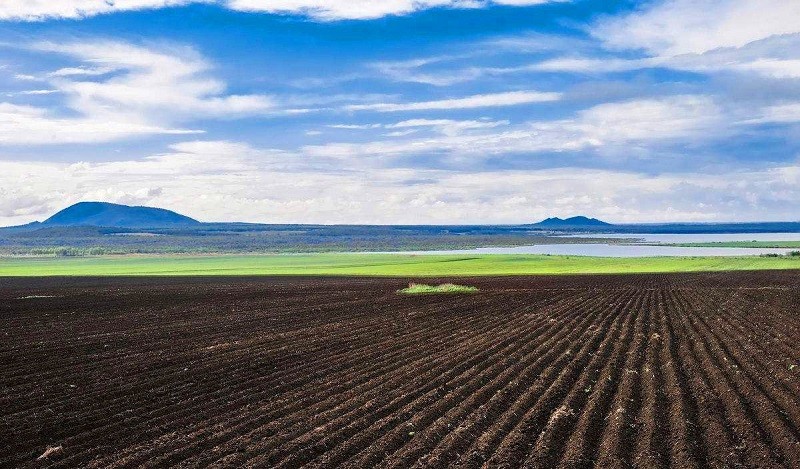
[{"x": 758, "y": 37}]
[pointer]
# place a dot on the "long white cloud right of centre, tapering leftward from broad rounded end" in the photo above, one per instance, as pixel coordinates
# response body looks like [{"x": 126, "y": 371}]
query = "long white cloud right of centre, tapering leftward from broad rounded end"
[{"x": 618, "y": 125}]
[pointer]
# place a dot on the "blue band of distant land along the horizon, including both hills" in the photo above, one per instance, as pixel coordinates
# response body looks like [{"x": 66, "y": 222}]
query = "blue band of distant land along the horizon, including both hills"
[{"x": 87, "y": 221}]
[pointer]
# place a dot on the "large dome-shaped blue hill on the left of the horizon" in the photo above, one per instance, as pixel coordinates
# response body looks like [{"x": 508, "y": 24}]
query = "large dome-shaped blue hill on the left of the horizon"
[{"x": 116, "y": 215}]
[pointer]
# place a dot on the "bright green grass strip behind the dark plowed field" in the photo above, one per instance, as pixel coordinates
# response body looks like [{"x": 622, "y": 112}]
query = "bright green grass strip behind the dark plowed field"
[{"x": 378, "y": 265}]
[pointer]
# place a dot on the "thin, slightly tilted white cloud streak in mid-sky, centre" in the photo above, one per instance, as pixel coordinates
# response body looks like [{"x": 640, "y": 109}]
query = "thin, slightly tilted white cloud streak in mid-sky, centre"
[{"x": 512, "y": 98}]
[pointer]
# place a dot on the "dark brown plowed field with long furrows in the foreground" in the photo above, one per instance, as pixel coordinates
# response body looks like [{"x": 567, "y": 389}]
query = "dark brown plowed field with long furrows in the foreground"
[{"x": 678, "y": 370}]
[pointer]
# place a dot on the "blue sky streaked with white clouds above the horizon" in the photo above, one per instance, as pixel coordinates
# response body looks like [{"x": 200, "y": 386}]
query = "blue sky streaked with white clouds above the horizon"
[{"x": 403, "y": 111}]
